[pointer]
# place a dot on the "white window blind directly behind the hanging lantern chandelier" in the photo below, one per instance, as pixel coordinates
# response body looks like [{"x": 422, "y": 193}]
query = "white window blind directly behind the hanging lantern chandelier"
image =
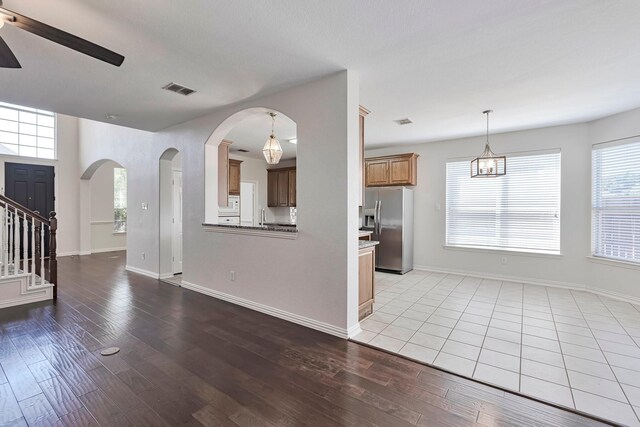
[{"x": 519, "y": 211}]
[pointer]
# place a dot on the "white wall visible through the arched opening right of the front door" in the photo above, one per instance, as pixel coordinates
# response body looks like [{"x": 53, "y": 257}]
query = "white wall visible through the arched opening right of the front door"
[{"x": 103, "y": 238}]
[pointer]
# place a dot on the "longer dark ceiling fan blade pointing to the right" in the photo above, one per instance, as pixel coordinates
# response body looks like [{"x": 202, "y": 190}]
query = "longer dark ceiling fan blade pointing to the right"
[{"x": 62, "y": 37}]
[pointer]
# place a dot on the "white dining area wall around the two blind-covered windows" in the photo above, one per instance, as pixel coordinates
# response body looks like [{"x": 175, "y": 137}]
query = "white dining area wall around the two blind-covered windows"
[{"x": 572, "y": 268}]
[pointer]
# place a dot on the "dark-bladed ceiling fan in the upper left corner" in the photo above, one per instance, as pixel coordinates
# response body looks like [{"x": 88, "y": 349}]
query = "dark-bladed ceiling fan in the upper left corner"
[{"x": 9, "y": 60}]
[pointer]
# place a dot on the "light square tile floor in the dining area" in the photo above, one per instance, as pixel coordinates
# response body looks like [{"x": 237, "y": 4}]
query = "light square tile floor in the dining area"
[{"x": 572, "y": 348}]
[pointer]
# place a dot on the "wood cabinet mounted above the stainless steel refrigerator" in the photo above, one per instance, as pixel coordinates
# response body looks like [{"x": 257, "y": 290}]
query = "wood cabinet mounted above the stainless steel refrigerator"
[{"x": 400, "y": 169}]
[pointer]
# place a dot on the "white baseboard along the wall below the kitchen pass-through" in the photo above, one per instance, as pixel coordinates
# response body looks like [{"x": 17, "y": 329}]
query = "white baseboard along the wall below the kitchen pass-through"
[{"x": 271, "y": 311}]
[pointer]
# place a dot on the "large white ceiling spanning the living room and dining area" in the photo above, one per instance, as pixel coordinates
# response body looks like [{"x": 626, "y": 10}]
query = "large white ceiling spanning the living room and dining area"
[{"x": 438, "y": 62}]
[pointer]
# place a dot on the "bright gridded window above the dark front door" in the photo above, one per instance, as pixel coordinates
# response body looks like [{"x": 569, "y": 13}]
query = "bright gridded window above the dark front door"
[{"x": 27, "y": 132}]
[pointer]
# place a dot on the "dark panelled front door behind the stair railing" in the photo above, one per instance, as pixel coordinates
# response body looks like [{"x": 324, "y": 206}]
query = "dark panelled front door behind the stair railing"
[{"x": 32, "y": 186}]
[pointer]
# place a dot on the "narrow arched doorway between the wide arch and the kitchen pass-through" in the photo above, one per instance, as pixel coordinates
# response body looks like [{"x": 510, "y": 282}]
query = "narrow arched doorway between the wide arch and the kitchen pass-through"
[{"x": 170, "y": 233}]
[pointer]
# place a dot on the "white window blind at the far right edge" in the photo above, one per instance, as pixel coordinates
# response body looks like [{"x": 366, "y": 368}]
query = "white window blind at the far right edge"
[{"x": 616, "y": 202}]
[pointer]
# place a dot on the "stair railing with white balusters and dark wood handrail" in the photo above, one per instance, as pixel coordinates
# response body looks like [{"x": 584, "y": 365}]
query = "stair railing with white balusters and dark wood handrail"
[{"x": 28, "y": 245}]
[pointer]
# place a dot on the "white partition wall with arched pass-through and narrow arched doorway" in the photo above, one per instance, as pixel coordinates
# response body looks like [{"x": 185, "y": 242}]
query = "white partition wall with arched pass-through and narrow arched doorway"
[{"x": 317, "y": 285}]
